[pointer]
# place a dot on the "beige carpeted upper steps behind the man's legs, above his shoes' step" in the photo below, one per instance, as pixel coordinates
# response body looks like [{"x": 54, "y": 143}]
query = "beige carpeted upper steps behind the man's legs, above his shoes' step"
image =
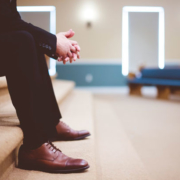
[{"x": 10, "y": 134}]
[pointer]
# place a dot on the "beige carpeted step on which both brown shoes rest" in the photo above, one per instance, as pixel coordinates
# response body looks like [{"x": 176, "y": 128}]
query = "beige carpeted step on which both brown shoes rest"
[{"x": 77, "y": 111}]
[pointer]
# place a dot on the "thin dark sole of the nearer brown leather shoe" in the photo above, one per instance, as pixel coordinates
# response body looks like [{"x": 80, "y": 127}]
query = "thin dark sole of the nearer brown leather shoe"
[{"x": 56, "y": 171}]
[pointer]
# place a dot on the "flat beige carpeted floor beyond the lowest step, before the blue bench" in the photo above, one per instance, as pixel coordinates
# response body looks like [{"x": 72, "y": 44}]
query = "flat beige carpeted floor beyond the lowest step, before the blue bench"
[{"x": 153, "y": 126}]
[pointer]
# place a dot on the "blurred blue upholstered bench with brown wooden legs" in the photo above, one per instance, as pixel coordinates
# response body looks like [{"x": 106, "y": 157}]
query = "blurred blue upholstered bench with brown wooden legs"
[{"x": 166, "y": 80}]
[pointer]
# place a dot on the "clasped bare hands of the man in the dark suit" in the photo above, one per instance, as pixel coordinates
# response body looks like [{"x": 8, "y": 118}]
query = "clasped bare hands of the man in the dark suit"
[{"x": 66, "y": 49}]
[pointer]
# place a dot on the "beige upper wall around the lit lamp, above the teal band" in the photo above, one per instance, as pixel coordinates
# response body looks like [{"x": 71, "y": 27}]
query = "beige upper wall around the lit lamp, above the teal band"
[{"x": 103, "y": 40}]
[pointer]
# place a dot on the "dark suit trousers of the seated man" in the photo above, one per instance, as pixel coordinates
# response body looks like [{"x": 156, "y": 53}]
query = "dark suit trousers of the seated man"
[{"x": 30, "y": 87}]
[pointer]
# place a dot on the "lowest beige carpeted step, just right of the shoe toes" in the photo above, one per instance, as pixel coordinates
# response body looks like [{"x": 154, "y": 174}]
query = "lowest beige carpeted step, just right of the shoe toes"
[{"x": 116, "y": 157}]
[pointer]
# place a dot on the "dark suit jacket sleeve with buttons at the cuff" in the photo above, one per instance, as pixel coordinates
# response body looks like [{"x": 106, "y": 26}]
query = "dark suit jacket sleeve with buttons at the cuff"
[{"x": 10, "y": 20}]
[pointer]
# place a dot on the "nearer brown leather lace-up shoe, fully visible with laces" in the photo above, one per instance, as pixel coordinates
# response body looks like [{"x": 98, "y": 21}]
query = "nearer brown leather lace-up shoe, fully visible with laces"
[{"x": 50, "y": 159}]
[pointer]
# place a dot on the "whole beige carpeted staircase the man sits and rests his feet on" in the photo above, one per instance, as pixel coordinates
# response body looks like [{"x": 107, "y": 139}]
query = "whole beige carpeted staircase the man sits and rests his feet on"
[{"x": 81, "y": 111}]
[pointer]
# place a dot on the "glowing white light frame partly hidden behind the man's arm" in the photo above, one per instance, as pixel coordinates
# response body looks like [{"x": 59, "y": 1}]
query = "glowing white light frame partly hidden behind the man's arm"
[{"x": 52, "y": 10}]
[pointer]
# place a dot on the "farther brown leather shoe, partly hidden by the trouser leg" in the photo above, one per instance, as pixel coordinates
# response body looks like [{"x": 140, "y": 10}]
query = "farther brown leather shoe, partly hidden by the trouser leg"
[{"x": 65, "y": 133}]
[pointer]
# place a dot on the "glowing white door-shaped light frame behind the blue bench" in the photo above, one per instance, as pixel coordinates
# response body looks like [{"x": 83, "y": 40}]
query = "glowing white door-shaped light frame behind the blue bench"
[{"x": 125, "y": 34}]
